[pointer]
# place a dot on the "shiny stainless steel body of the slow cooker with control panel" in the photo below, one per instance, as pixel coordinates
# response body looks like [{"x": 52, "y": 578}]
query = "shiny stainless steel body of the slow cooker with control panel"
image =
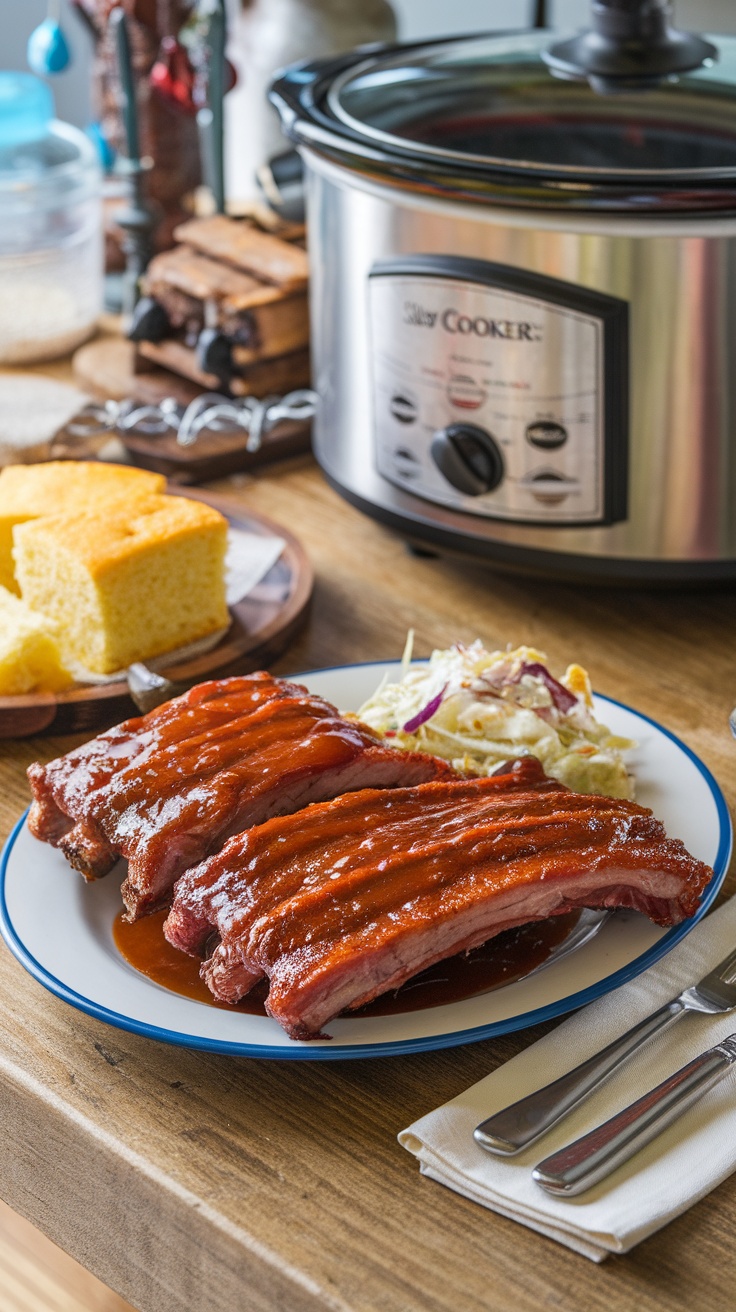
[{"x": 592, "y": 356}]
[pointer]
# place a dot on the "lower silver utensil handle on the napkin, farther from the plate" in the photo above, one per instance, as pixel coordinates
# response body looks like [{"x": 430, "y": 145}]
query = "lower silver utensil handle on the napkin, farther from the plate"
[{"x": 596, "y": 1155}]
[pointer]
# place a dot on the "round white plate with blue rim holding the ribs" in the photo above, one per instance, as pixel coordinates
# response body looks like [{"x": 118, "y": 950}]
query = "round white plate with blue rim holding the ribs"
[{"x": 61, "y": 928}]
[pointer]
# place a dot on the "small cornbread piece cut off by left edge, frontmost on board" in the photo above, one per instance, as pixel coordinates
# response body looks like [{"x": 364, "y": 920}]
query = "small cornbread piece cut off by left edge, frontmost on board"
[{"x": 30, "y": 654}]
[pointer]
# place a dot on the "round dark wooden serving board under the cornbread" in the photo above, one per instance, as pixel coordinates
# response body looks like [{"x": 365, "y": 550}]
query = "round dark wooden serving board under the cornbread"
[{"x": 263, "y": 626}]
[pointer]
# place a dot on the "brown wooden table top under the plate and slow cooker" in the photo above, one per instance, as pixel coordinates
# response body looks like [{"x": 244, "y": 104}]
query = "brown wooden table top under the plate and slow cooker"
[{"x": 192, "y": 1183}]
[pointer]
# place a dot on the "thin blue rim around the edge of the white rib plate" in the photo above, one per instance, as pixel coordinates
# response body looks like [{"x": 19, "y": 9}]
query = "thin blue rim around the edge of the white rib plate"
[{"x": 297, "y": 1053}]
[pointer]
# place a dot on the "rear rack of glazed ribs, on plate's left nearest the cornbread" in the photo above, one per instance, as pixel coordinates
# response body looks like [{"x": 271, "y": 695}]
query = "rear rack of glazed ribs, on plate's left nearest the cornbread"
[{"x": 170, "y": 788}]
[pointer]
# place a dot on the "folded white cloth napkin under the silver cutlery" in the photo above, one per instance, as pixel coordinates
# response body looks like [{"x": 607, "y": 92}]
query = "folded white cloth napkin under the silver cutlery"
[{"x": 663, "y": 1180}]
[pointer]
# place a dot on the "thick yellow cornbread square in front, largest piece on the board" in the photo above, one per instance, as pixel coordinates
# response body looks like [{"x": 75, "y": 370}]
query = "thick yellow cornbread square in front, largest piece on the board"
[{"x": 127, "y": 586}]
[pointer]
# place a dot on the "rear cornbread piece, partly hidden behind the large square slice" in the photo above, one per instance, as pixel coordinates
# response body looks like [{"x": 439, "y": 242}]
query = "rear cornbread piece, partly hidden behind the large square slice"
[{"x": 28, "y": 491}]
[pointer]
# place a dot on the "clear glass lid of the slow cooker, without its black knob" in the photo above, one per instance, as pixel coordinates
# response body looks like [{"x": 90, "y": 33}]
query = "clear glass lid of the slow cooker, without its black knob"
[{"x": 493, "y": 102}]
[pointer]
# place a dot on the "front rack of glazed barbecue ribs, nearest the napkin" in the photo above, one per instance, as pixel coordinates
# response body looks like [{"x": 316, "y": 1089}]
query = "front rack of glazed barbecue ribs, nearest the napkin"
[{"x": 351, "y": 898}]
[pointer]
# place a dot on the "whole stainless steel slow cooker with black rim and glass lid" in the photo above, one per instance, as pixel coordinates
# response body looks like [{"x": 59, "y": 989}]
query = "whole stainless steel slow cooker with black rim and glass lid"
[{"x": 524, "y": 292}]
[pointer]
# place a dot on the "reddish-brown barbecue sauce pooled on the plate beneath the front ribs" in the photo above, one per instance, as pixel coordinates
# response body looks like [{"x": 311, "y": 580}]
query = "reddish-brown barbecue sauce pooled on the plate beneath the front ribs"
[{"x": 506, "y": 958}]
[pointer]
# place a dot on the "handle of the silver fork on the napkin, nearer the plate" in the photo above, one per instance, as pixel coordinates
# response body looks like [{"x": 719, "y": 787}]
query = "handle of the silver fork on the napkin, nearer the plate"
[{"x": 516, "y": 1128}]
